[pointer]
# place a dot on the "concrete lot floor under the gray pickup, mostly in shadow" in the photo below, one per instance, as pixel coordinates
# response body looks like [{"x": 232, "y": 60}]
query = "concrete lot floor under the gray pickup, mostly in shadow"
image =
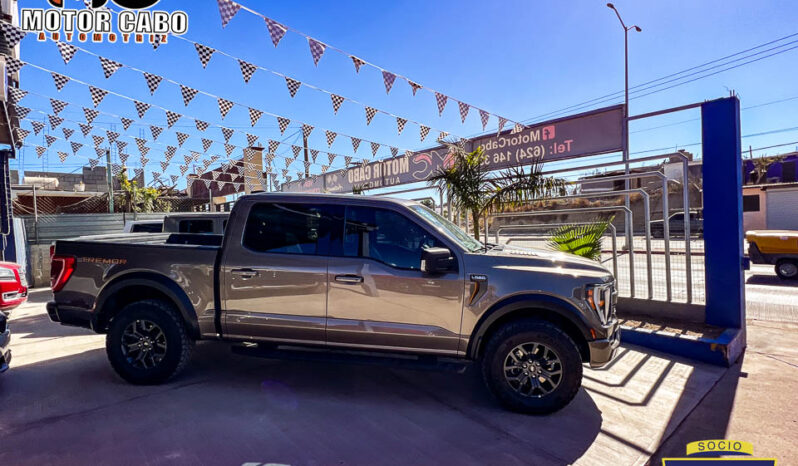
[{"x": 61, "y": 403}]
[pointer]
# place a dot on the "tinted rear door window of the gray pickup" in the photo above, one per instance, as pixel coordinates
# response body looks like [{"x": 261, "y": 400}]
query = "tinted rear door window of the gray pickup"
[{"x": 285, "y": 228}]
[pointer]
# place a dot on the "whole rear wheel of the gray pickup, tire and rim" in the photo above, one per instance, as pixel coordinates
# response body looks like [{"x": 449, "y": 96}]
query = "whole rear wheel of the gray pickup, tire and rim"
[{"x": 147, "y": 342}]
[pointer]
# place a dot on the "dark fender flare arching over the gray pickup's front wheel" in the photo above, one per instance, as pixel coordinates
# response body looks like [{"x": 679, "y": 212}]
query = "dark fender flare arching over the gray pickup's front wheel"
[{"x": 540, "y": 301}]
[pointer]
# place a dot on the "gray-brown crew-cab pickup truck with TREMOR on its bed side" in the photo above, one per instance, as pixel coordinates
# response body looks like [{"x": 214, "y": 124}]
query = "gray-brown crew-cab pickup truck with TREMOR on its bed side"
[{"x": 374, "y": 277}]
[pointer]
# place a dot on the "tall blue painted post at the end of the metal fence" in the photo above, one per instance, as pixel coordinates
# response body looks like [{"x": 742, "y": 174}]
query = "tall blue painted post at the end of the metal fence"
[{"x": 723, "y": 213}]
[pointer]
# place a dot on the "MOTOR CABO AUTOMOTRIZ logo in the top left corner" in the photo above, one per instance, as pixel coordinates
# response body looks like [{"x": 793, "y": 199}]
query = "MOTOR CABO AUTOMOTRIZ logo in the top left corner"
[{"x": 133, "y": 23}]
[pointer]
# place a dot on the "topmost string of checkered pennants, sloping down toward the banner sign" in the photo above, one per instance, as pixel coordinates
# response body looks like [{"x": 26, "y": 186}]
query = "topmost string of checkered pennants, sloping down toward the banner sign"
[{"x": 228, "y": 9}]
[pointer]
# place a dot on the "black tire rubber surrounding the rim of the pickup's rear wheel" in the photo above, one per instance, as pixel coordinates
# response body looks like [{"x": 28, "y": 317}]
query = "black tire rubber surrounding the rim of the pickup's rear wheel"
[{"x": 178, "y": 343}]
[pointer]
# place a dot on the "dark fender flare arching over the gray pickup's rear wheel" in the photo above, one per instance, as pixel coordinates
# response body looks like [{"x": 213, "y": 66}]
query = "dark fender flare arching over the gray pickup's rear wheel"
[{"x": 161, "y": 283}]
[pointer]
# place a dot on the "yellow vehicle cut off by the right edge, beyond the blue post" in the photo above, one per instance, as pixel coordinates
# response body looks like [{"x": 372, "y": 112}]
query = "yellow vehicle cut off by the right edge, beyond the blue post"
[{"x": 775, "y": 247}]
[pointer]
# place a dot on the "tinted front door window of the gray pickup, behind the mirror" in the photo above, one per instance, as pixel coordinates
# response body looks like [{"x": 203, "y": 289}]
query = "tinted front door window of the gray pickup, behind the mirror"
[{"x": 386, "y": 236}]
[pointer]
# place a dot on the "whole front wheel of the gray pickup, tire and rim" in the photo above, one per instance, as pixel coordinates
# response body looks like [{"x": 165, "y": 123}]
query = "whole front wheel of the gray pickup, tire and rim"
[{"x": 532, "y": 367}]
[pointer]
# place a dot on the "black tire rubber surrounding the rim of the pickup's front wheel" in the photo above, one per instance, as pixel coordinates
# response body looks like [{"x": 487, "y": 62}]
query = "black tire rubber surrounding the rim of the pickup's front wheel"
[{"x": 525, "y": 331}]
